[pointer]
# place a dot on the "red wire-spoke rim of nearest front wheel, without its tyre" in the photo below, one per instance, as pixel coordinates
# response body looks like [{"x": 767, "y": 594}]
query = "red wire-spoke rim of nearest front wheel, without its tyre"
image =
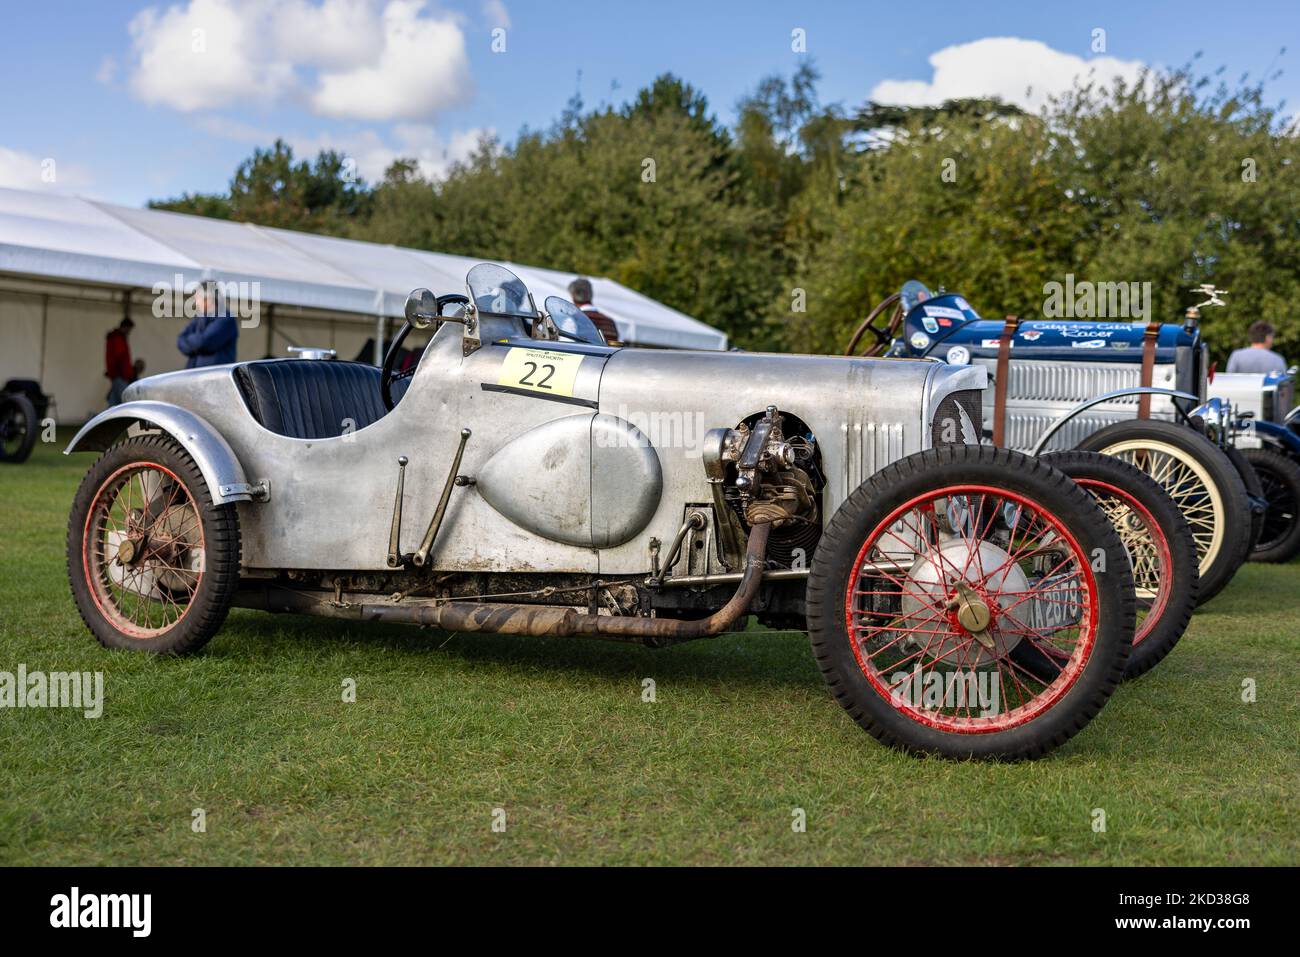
[{"x": 955, "y": 592}]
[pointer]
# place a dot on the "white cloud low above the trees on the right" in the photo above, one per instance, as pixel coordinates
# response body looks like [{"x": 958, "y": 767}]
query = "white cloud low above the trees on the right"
[{"x": 1022, "y": 72}]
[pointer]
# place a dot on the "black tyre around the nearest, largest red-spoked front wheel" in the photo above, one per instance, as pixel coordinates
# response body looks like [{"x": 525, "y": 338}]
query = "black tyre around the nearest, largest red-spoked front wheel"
[{"x": 1099, "y": 668}]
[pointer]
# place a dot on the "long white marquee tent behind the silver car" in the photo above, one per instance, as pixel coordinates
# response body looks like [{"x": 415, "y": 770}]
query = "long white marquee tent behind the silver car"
[{"x": 72, "y": 269}]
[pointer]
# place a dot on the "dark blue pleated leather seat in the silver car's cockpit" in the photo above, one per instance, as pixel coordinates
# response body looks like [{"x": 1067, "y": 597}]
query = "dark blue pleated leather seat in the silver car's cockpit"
[{"x": 311, "y": 399}]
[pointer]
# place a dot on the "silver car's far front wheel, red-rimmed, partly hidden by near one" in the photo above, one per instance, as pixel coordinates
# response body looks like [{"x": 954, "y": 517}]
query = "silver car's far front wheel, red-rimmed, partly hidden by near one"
[{"x": 1171, "y": 562}]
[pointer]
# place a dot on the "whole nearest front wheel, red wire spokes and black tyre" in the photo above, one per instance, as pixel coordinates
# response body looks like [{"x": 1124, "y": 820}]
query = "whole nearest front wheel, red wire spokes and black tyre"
[{"x": 937, "y": 570}]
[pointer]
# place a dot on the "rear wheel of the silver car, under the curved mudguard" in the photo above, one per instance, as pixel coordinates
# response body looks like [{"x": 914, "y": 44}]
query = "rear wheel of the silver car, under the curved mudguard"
[{"x": 206, "y": 574}]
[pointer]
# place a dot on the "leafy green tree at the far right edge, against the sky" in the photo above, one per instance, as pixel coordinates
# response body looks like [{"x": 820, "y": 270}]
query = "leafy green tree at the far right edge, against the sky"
[{"x": 1182, "y": 181}]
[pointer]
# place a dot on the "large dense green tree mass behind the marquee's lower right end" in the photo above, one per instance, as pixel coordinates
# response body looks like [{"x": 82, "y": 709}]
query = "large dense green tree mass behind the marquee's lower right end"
[{"x": 649, "y": 196}]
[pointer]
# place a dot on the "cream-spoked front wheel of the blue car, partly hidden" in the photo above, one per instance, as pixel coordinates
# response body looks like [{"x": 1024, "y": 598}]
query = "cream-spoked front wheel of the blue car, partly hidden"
[{"x": 1221, "y": 523}]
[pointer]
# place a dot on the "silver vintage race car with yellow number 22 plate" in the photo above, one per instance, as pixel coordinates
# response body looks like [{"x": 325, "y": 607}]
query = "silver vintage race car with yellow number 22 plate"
[{"x": 530, "y": 479}]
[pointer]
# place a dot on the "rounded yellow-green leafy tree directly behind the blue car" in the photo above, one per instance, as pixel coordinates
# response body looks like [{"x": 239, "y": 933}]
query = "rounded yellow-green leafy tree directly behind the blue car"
[{"x": 968, "y": 206}]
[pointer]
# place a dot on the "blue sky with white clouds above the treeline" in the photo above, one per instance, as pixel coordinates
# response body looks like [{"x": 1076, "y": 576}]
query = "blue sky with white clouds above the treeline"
[{"x": 132, "y": 103}]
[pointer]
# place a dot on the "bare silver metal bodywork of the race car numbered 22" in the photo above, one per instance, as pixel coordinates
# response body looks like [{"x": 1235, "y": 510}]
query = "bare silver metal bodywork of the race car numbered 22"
[{"x": 331, "y": 503}]
